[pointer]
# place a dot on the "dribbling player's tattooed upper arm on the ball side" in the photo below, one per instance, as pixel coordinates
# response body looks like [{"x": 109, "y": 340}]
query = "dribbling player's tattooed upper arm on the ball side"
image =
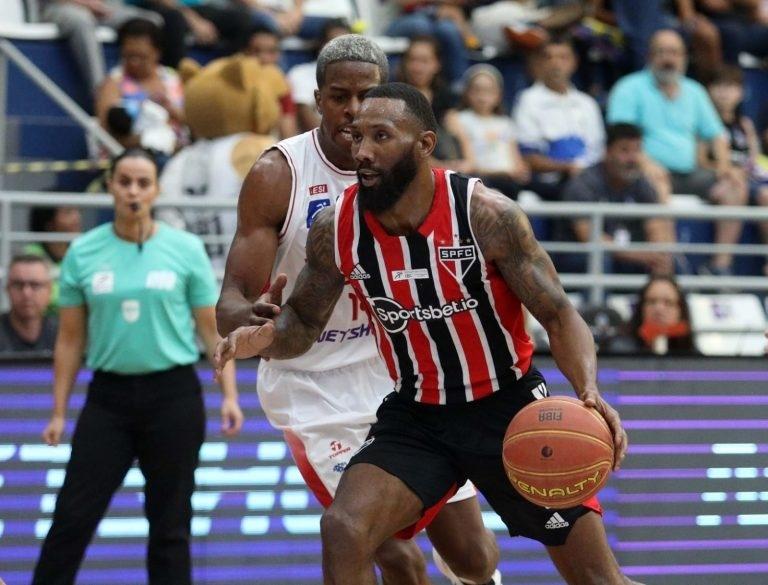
[{"x": 506, "y": 238}]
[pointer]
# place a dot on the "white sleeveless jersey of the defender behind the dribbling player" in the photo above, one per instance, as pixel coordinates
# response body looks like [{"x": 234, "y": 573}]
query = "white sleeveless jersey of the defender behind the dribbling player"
[{"x": 347, "y": 338}]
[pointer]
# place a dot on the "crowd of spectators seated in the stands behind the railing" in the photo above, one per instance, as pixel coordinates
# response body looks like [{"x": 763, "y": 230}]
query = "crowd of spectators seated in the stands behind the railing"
[{"x": 668, "y": 120}]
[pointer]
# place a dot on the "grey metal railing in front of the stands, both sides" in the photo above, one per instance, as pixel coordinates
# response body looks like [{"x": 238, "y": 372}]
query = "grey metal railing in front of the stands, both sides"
[{"x": 594, "y": 280}]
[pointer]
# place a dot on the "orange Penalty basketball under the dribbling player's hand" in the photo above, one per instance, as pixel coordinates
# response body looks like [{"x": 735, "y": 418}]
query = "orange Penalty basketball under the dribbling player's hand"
[{"x": 557, "y": 452}]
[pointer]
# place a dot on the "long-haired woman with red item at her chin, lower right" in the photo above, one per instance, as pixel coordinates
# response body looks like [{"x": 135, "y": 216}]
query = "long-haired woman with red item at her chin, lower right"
[{"x": 661, "y": 323}]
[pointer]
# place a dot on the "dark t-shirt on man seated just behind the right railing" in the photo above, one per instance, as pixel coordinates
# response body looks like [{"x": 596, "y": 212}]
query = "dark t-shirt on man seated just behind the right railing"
[{"x": 591, "y": 186}]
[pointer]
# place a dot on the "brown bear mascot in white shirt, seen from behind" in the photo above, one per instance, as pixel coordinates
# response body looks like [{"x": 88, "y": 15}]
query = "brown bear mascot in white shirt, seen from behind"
[{"x": 232, "y": 107}]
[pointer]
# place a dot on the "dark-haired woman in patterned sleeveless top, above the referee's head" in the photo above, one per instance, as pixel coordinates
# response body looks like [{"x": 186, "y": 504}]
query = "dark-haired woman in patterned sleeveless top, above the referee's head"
[{"x": 142, "y": 102}]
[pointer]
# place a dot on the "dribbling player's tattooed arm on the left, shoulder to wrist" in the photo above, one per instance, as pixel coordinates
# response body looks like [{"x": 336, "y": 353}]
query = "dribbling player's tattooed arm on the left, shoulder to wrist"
[{"x": 317, "y": 289}]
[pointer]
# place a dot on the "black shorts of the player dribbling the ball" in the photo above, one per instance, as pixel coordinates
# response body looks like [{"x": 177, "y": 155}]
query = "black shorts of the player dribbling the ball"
[{"x": 434, "y": 448}]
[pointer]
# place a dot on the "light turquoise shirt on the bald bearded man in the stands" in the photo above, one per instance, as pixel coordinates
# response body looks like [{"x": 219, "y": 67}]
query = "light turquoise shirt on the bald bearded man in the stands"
[{"x": 670, "y": 127}]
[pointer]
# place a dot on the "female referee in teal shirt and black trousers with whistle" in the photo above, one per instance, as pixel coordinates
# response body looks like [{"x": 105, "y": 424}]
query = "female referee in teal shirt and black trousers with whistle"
[{"x": 133, "y": 292}]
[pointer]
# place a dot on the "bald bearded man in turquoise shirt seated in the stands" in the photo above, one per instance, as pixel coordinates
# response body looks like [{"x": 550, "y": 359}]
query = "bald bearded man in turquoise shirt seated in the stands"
[{"x": 676, "y": 114}]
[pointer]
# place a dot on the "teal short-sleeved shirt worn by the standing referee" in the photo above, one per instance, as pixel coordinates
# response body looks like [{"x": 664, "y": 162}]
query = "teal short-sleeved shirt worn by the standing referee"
[{"x": 139, "y": 302}]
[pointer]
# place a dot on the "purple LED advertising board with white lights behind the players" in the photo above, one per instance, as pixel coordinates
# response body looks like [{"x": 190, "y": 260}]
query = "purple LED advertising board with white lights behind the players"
[{"x": 689, "y": 505}]
